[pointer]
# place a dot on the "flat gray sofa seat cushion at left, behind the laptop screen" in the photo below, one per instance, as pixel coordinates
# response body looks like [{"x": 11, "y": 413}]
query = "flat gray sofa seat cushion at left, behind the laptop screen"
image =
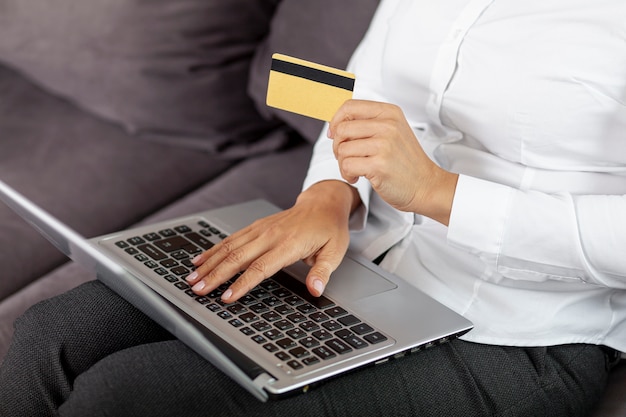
[{"x": 83, "y": 170}]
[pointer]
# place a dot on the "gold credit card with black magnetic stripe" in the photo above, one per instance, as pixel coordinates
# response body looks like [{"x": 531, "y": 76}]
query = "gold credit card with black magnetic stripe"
[{"x": 307, "y": 88}]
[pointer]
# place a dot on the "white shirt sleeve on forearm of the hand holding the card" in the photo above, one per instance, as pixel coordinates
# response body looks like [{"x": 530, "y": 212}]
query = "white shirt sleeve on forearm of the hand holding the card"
[{"x": 530, "y": 235}]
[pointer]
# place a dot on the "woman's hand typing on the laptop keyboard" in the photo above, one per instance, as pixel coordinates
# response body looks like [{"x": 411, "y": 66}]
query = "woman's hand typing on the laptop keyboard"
[{"x": 315, "y": 230}]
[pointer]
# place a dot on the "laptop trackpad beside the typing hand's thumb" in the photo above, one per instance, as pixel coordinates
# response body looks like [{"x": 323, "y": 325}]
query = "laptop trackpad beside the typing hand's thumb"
[{"x": 353, "y": 281}]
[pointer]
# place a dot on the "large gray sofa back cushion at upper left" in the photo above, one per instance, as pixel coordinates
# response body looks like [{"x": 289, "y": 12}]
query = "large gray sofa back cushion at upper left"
[{"x": 173, "y": 70}]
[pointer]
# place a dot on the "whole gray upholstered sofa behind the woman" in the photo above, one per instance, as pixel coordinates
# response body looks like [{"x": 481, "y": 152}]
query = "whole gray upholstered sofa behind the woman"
[{"x": 117, "y": 112}]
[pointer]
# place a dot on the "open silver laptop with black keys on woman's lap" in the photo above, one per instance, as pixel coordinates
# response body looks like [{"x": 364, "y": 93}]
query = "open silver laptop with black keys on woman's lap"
[{"x": 278, "y": 340}]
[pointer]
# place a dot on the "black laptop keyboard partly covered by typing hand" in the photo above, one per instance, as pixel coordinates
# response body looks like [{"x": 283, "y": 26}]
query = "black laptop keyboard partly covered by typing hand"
[{"x": 280, "y": 315}]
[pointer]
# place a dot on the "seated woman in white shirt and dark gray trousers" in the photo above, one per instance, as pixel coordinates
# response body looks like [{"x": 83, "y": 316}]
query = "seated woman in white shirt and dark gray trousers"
[{"x": 497, "y": 176}]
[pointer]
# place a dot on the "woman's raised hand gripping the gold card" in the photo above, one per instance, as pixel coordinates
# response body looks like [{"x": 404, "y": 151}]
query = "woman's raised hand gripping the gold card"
[{"x": 374, "y": 140}]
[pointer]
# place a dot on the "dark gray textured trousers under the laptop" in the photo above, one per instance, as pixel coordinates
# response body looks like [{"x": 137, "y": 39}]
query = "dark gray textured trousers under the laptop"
[{"x": 89, "y": 353}]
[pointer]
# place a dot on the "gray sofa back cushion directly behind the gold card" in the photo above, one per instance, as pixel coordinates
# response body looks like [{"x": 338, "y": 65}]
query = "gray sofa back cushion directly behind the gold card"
[{"x": 323, "y": 31}]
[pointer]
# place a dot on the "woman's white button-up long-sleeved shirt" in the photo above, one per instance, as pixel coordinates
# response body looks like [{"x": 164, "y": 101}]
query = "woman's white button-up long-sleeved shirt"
[{"x": 526, "y": 100}]
